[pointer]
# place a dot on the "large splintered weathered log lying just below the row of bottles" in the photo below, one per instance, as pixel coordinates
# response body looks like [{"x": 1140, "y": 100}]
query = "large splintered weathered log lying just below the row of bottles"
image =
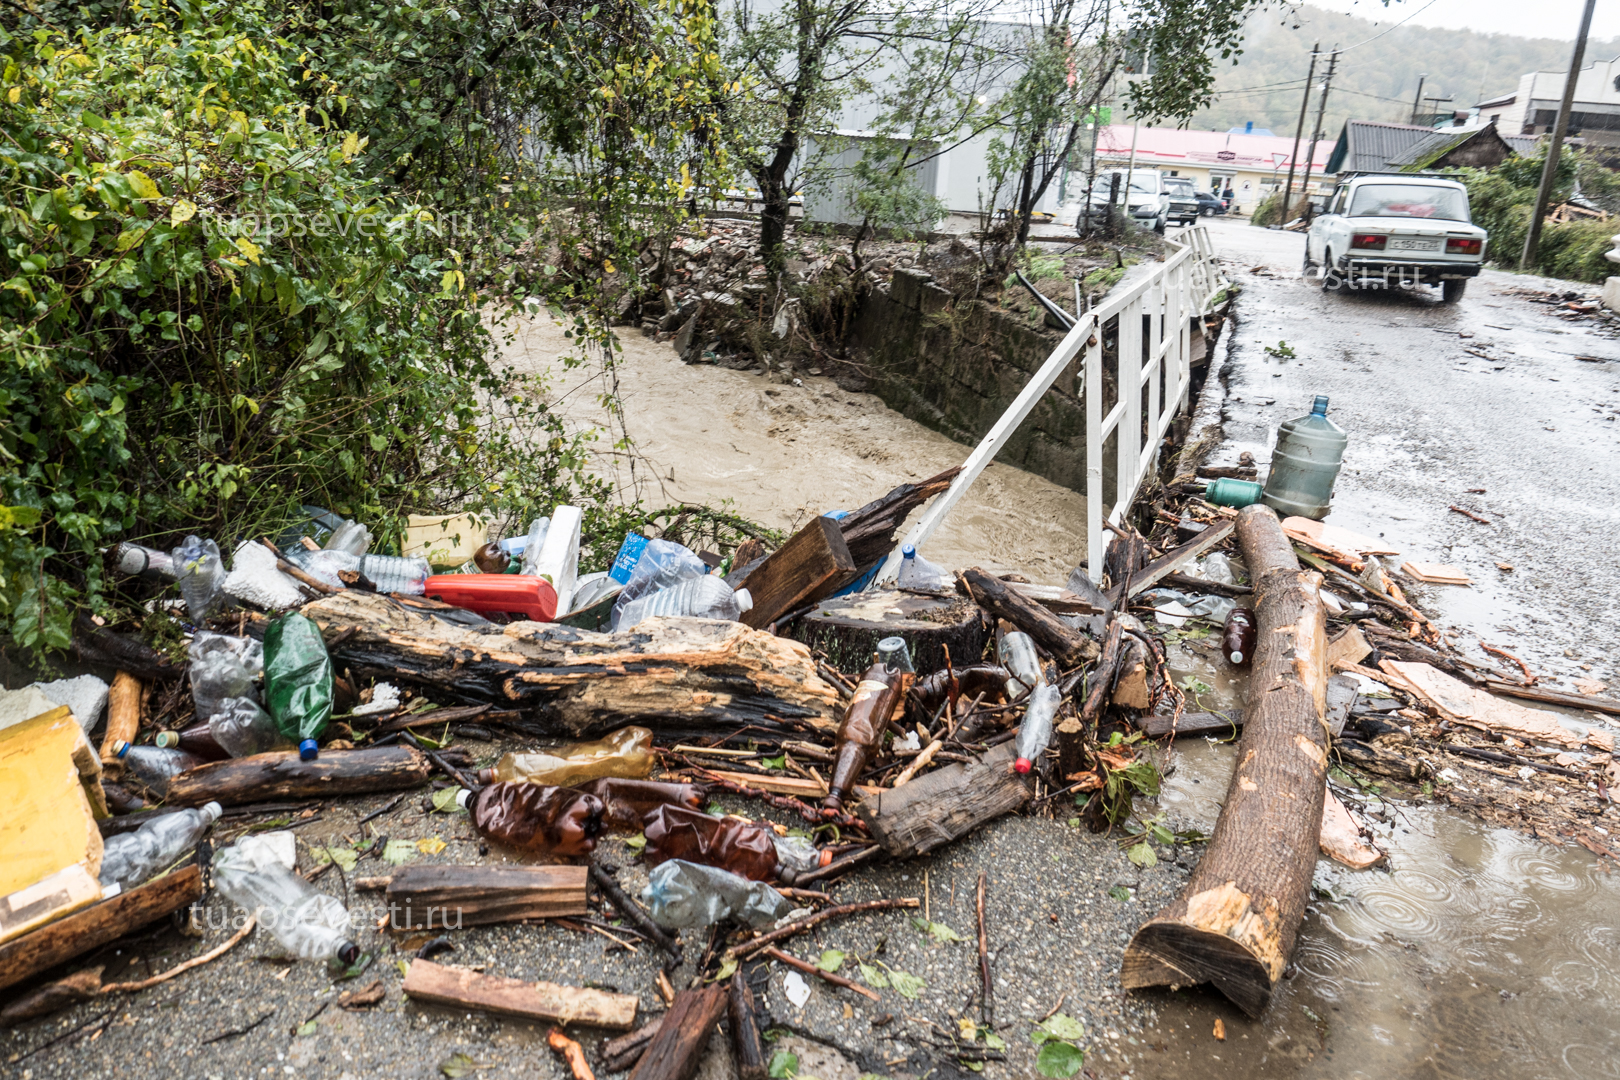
[{"x": 689, "y": 674}]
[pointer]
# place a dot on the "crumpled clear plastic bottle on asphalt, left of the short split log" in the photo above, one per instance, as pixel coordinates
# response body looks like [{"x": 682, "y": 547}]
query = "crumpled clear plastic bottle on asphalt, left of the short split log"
[{"x": 310, "y": 924}]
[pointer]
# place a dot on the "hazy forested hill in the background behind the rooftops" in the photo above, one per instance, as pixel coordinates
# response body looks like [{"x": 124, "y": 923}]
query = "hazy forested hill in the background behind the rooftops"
[{"x": 1378, "y": 80}]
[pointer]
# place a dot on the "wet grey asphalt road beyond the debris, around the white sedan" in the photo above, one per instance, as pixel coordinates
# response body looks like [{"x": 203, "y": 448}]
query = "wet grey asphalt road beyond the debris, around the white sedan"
[{"x": 1511, "y": 409}]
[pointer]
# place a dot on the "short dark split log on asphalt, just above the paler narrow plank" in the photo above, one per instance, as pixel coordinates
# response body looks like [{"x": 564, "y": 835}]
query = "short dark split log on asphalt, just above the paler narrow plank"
[{"x": 433, "y": 898}]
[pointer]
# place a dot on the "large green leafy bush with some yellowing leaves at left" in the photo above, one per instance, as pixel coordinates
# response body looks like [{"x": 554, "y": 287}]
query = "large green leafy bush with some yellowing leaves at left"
[{"x": 210, "y": 315}]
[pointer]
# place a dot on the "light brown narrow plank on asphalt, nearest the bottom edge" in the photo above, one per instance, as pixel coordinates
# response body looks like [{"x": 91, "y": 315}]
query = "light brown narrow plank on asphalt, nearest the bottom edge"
[{"x": 464, "y": 989}]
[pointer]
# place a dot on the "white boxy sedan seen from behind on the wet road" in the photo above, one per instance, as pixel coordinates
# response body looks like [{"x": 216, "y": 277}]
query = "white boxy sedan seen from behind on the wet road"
[{"x": 1396, "y": 229}]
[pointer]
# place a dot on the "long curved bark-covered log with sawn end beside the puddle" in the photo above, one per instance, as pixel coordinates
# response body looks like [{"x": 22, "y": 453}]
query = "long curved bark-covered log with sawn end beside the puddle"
[{"x": 1235, "y": 922}]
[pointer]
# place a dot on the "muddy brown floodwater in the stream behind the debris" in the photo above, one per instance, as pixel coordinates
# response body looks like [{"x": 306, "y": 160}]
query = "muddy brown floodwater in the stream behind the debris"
[{"x": 782, "y": 453}]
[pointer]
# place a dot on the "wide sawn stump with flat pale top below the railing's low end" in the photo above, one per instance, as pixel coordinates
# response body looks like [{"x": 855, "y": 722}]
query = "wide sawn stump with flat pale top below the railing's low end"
[{"x": 848, "y": 629}]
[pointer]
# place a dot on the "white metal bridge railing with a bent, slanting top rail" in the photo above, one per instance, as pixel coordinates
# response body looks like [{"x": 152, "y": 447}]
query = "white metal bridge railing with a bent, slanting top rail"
[{"x": 1153, "y": 328}]
